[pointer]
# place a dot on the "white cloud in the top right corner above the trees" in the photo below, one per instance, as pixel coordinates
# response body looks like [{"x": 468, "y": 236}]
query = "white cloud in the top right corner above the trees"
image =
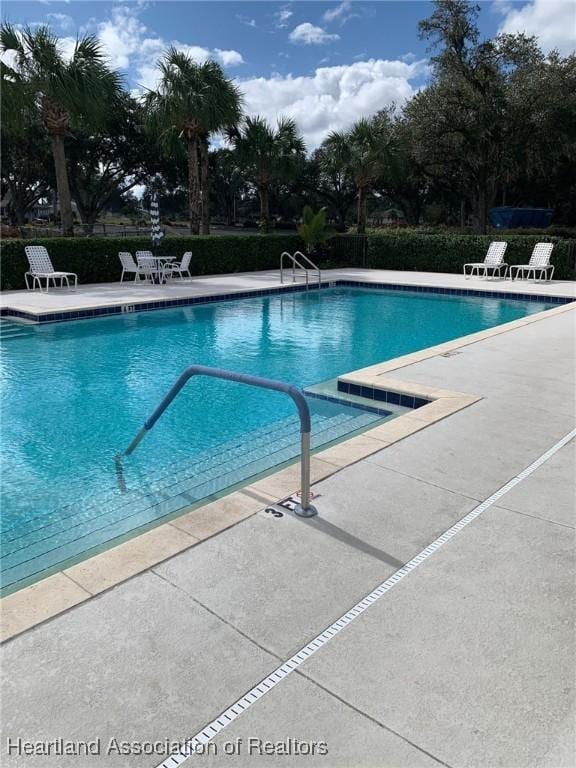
[{"x": 553, "y": 22}]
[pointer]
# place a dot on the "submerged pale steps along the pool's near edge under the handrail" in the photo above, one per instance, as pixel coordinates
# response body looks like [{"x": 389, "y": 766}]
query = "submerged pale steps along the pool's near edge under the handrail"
[{"x": 44, "y": 540}]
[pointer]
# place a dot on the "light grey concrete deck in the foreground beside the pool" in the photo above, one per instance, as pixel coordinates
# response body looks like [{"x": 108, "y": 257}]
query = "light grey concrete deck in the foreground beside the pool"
[{"x": 468, "y": 661}]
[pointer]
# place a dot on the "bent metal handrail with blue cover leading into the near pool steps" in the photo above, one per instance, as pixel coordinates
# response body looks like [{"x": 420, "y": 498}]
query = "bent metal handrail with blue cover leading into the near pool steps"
[{"x": 305, "y": 508}]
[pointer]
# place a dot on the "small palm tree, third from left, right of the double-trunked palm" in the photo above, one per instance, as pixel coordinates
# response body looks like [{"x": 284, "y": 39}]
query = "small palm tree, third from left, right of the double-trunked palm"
[{"x": 268, "y": 155}]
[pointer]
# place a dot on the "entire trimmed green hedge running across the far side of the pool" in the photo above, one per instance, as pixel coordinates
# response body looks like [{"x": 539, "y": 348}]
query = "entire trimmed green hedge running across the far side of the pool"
[{"x": 95, "y": 259}]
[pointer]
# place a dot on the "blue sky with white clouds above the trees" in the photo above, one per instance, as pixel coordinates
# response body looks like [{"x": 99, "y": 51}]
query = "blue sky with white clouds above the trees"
[{"x": 323, "y": 63}]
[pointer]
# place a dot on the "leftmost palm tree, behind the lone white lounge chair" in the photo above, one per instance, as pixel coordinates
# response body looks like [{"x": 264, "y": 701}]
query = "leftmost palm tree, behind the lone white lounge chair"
[{"x": 64, "y": 92}]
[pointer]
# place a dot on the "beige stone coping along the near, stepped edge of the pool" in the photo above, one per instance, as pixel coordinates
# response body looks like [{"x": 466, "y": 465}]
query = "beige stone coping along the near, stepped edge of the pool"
[{"x": 55, "y": 594}]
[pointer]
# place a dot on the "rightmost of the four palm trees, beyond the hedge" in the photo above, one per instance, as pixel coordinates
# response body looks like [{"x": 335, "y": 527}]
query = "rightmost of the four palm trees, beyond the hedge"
[{"x": 362, "y": 151}]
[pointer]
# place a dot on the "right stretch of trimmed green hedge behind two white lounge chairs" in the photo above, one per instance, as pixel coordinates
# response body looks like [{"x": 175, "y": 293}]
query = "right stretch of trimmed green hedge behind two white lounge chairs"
[{"x": 447, "y": 253}]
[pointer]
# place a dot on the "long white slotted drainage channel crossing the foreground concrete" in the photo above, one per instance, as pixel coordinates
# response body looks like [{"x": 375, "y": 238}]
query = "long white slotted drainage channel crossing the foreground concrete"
[{"x": 197, "y": 742}]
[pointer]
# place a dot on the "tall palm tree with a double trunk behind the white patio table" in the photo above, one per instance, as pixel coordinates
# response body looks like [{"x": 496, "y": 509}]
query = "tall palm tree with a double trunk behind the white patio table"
[{"x": 192, "y": 102}]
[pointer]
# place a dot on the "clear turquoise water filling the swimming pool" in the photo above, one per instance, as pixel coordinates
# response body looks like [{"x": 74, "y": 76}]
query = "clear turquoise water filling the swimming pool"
[{"x": 74, "y": 394}]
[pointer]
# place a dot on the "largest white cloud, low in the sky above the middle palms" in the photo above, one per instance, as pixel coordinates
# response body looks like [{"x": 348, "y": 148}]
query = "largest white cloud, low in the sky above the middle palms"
[{"x": 333, "y": 97}]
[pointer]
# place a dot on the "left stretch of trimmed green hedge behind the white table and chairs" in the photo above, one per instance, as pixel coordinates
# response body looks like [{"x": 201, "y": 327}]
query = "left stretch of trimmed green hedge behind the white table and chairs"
[{"x": 95, "y": 259}]
